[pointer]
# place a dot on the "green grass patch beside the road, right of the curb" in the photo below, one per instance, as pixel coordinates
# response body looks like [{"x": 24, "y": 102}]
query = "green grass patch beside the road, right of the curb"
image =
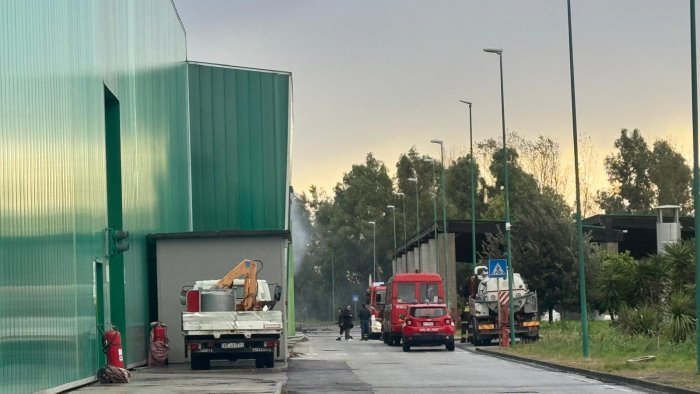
[{"x": 560, "y": 342}]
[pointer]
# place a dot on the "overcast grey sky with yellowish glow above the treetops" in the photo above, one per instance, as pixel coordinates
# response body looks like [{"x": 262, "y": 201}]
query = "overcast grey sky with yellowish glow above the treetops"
[{"x": 382, "y": 76}]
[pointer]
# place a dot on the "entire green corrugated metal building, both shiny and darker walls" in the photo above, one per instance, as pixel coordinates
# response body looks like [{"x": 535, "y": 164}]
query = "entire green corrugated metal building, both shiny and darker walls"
[{"x": 95, "y": 134}]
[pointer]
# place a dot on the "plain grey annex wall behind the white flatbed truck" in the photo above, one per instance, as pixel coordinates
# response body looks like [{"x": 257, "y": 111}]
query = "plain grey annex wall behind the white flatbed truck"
[{"x": 181, "y": 262}]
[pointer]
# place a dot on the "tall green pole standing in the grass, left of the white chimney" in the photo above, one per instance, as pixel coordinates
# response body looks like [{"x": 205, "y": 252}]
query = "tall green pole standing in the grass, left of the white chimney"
[{"x": 579, "y": 226}]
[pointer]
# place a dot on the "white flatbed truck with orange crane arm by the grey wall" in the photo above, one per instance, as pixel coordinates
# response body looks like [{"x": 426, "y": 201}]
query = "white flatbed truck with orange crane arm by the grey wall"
[{"x": 232, "y": 318}]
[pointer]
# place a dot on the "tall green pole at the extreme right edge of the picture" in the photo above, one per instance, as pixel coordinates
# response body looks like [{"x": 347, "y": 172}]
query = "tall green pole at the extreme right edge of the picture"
[{"x": 696, "y": 175}]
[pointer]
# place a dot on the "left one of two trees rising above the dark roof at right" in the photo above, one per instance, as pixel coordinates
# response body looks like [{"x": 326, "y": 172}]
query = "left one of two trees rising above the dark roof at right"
[{"x": 628, "y": 171}]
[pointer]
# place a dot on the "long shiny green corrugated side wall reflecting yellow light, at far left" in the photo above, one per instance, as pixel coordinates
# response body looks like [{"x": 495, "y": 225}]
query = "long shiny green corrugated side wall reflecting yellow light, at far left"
[{"x": 56, "y": 58}]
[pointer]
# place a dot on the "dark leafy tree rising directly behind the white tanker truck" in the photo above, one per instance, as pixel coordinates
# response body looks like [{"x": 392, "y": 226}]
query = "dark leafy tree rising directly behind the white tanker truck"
[{"x": 543, "y": 238}]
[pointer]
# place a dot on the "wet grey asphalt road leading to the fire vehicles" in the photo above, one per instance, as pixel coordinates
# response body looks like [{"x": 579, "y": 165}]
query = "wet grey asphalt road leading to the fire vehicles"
[{"x": 324, "y": 365}]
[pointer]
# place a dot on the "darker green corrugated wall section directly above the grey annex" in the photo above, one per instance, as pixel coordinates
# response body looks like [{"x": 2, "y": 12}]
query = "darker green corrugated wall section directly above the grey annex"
[{"x": 240, "y": 129}]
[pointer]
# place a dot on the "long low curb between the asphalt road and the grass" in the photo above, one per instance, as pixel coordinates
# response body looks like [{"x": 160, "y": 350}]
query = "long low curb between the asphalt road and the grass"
[{"x": 602, "y": 376}]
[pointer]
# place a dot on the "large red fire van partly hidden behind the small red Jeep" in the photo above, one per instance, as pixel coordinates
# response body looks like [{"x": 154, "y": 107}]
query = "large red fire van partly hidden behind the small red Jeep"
[{"x": 403, "y": 290}]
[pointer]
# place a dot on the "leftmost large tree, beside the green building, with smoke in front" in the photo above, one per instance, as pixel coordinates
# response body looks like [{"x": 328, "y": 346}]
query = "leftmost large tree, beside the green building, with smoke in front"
[{"x": 340, "y": 243}]
